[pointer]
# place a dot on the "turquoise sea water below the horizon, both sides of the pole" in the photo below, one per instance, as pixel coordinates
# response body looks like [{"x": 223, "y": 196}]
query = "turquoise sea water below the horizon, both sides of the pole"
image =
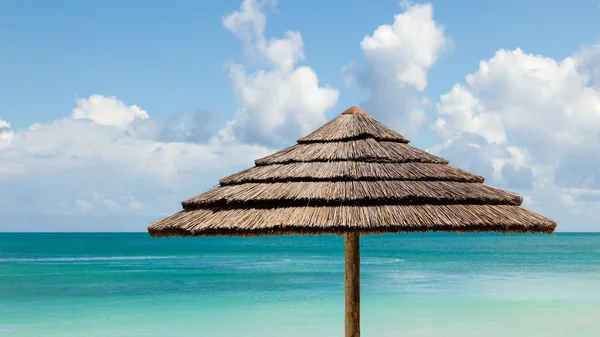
[{"x": 132, "y": 285}]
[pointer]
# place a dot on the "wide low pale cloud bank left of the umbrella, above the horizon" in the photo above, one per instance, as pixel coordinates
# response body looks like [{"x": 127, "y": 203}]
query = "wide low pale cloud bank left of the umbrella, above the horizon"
[{"x": 98, "y": 162}]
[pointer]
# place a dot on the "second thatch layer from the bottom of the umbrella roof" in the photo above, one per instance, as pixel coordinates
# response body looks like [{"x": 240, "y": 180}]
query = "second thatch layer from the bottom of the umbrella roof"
[{"x": 284, "y": 194}]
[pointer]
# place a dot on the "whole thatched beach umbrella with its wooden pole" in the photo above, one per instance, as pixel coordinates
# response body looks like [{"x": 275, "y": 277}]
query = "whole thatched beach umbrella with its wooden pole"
[{"x": 352, "y": 176}]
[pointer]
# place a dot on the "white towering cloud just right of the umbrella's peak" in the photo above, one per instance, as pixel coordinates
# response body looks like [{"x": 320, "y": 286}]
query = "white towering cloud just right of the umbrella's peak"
[{"x": 397, "y": 58}]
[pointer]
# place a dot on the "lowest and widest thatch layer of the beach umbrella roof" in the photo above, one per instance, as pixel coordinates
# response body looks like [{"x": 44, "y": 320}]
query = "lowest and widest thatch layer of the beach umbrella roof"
[{"x": 340, "y": 219}]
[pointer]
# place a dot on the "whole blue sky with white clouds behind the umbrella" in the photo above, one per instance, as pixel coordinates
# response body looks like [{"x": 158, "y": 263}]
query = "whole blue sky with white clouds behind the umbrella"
[{"x": 113, "y": 112}]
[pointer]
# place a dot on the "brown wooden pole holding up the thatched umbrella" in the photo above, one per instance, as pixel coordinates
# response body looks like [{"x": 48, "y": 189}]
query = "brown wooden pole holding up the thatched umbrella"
[{"x": 352, "y": 257}]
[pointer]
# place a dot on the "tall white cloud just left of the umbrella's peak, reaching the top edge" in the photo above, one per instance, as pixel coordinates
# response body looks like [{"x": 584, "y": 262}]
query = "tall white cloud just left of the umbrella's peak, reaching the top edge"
[{"x": 282, "y": 102}]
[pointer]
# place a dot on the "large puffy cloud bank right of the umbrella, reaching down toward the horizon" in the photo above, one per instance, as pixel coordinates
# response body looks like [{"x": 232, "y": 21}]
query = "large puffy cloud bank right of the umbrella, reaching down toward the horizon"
[{"x": 535, "y": 124}]
